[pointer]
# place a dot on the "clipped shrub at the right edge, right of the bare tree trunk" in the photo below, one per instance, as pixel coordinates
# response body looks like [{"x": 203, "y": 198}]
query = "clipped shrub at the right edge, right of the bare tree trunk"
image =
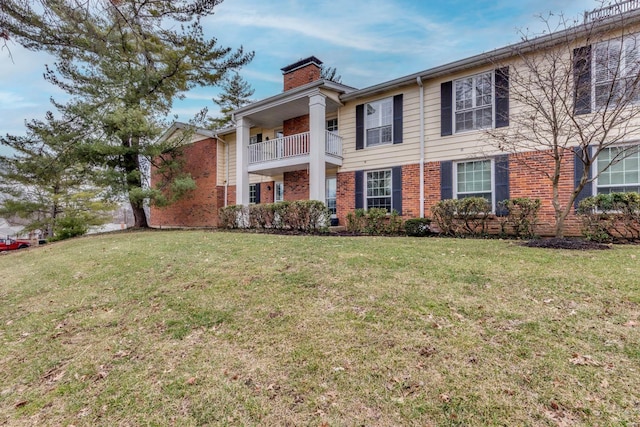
[{"x": 611, "y": 217}]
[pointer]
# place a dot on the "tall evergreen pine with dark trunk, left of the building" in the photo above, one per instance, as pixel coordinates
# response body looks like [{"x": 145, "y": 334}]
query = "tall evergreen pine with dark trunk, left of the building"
[{"x": 123, "y": 62}]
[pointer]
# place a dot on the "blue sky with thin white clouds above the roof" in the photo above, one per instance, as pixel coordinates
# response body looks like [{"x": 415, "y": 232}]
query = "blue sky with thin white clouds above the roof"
[{"x": 368, "y": 42}]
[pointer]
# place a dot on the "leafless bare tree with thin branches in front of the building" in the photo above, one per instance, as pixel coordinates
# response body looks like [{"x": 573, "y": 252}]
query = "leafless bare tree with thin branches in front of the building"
[{"x": 574, "y": 96}]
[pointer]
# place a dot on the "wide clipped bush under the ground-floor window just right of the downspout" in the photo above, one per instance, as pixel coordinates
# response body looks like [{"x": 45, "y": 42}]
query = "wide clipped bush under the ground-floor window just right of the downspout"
[{"x": 458, "y": 217}]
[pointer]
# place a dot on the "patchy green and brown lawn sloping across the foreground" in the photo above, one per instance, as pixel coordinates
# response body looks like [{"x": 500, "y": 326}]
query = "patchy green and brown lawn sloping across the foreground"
[{"x": 211, "y": 328}]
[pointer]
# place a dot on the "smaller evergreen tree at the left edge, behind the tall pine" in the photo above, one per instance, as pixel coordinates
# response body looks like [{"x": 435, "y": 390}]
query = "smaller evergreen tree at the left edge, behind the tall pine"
[{"x": 45, "y": 183}]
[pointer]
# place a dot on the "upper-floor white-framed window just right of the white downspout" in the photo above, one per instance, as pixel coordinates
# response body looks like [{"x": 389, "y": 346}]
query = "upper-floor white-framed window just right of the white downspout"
[{"x": 473, "y": 102}]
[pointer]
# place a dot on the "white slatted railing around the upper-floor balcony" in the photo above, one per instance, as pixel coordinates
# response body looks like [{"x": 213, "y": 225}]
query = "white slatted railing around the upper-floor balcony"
[{"x": 291, "y": 146}]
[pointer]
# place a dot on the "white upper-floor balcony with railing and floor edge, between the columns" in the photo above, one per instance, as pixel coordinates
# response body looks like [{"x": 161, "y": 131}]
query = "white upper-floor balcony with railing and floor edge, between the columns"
[{"x": 290, "y": 153}]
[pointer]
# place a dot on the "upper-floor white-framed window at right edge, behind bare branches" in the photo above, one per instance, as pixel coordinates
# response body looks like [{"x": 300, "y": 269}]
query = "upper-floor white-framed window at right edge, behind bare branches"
[{"x": 615, "y": 69}]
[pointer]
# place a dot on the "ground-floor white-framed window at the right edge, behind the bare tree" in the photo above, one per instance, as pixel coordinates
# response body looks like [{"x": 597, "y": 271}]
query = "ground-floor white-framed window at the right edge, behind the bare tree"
[{"x": 623, "y": 174}]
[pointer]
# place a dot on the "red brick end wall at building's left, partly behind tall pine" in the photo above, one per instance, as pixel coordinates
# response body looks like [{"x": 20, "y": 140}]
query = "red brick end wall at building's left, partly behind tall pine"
[{"x": 200, "y": 207}]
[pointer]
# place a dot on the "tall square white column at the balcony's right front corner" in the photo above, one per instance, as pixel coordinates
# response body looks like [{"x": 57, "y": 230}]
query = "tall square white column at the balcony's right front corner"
[{"x": 317, "y": 136}]
